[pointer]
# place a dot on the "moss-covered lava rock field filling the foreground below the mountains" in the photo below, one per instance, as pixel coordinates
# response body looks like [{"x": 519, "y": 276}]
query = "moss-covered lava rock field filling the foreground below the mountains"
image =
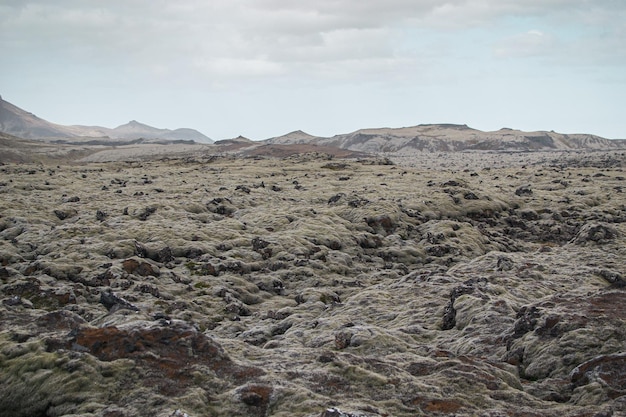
[{"x": 305, "y": 284}]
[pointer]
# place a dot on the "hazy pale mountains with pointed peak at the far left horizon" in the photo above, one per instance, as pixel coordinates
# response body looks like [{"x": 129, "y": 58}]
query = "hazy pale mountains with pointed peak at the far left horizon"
[{"x": 18, "y": 122}]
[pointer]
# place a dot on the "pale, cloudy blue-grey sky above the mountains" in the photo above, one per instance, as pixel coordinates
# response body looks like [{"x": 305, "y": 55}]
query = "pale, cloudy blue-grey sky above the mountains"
[{"x": 262, "y": 68}]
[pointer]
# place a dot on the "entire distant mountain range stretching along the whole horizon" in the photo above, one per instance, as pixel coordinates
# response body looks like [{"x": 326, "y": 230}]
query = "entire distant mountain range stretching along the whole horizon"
[{"x": 406, "y": 140}]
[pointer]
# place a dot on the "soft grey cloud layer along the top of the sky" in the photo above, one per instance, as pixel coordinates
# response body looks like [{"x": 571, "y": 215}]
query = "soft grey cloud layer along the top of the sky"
[{"x": 233, "y": 38}]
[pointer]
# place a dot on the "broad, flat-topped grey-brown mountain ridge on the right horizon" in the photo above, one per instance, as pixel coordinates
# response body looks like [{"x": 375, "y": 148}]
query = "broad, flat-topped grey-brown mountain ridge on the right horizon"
[{"x": 451, "y": 137}]
